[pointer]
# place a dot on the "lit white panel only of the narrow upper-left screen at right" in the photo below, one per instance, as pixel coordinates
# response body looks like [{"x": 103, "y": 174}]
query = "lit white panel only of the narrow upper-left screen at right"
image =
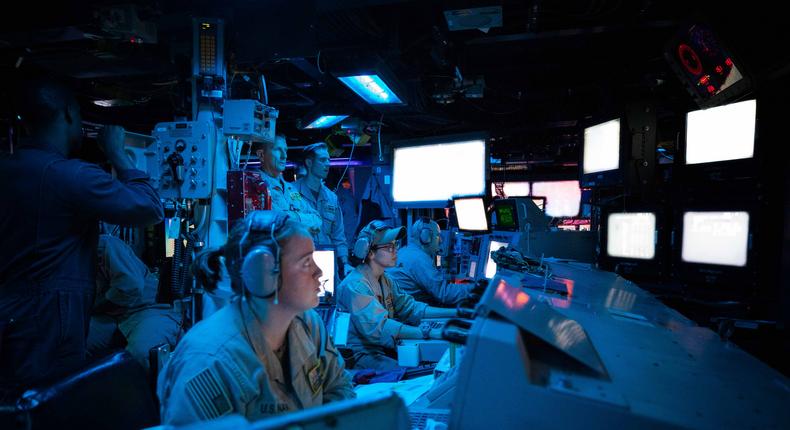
[{"x": 602, "y": 147}]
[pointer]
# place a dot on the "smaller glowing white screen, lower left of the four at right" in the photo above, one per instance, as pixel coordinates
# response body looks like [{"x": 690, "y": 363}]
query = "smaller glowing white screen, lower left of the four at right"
[{"x": 631, "y": 235}]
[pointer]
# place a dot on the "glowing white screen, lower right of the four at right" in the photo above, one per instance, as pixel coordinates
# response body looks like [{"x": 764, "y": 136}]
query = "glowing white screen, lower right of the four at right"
[{"x": 715, "y": 238}]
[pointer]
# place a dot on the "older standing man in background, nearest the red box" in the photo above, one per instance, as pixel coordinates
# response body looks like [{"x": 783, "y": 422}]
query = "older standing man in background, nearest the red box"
[{"x": 284, "y": 196}]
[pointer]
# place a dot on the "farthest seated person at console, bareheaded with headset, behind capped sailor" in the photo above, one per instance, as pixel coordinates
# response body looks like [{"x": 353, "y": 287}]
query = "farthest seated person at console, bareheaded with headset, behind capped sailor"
[{"x": 416, "y": 272}]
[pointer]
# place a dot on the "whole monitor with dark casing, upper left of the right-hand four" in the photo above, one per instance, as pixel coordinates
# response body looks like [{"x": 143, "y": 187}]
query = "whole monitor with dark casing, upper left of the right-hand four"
[{"x": 601, "y": 155}]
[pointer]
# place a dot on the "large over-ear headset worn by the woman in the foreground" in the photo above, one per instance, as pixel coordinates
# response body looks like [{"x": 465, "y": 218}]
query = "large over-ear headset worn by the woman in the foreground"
[{"x": 260, "y": 269}]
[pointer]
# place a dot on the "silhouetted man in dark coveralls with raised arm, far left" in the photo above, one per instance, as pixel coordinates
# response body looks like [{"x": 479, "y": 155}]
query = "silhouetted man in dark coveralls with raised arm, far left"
[{"x": 51, "y": 205}]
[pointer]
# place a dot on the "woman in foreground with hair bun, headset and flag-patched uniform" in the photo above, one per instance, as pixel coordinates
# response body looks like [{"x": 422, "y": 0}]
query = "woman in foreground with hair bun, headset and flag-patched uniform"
[{"x": 266, "y": 352}]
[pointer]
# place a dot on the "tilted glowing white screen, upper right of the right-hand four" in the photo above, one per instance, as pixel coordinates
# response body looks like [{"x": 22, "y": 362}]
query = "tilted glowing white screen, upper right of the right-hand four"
[{"x": 721, "y": 133}]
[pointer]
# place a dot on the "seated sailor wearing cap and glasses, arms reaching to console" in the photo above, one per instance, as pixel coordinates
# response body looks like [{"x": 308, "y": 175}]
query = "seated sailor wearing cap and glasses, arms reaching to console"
[{"x": 381, "y": 313}]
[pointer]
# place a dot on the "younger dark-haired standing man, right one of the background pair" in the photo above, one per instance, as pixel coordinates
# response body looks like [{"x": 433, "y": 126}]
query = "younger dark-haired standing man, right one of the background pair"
[{"x": 323, "y": 201}]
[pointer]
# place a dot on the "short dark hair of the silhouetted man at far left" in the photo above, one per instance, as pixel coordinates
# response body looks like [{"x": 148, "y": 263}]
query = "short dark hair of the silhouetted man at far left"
[{"x": 38, "y": 102}]
